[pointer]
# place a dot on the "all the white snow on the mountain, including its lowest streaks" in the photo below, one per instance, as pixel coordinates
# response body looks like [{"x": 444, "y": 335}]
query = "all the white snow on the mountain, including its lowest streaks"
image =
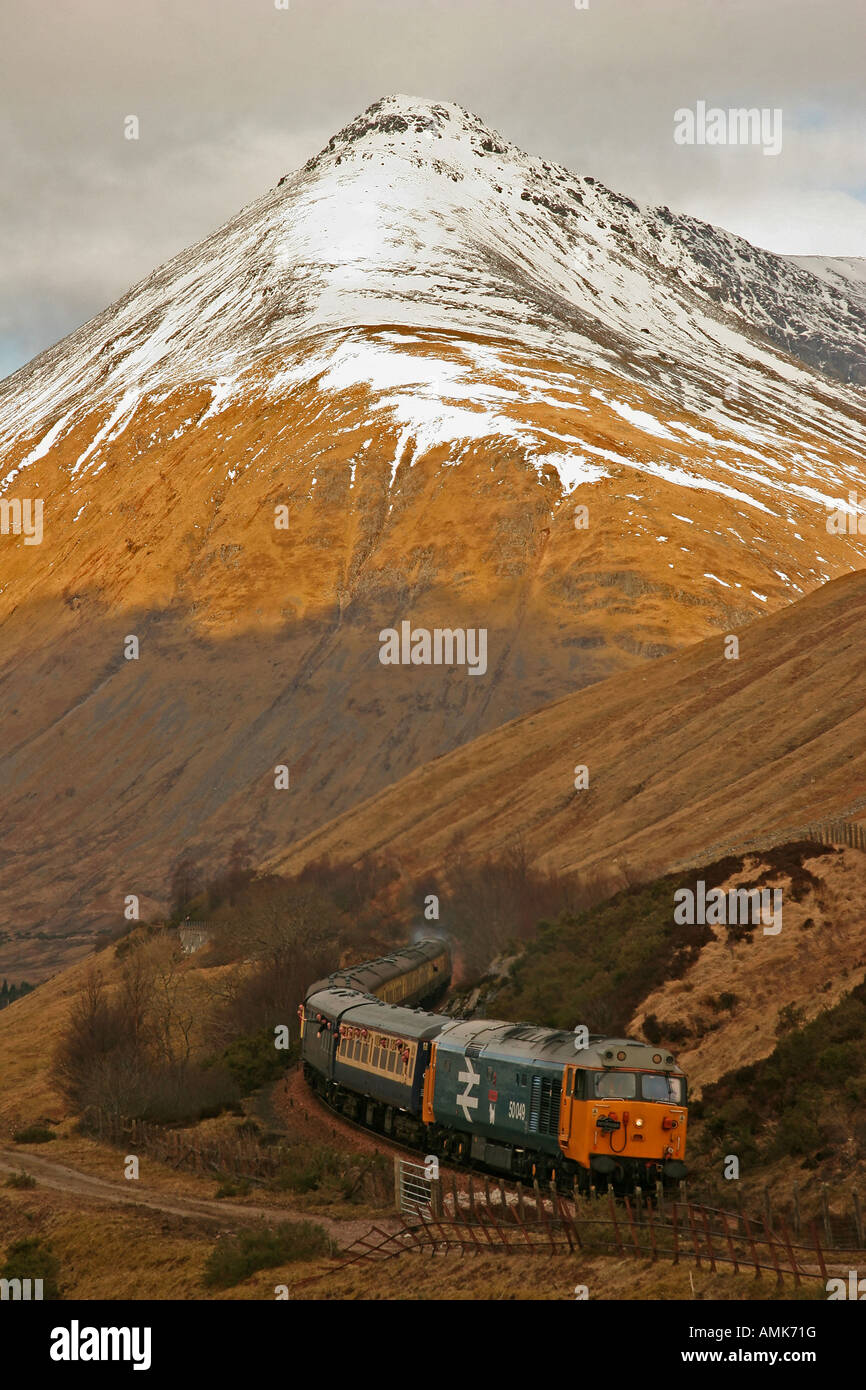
[{"x": 418, "y": 215}]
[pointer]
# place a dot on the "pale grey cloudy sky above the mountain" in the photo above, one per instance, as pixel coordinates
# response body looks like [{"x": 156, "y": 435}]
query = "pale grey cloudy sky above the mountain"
[{"x": 231, "y": 95}]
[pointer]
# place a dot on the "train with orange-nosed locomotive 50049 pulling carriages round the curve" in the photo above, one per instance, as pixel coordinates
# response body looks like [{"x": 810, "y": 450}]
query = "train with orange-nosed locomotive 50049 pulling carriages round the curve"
[{"x": 509, "y": 1097}]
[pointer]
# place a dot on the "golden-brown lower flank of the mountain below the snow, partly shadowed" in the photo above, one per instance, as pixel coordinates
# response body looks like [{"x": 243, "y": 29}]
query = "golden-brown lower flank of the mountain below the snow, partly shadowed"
[{"x": 261, "y": 646}]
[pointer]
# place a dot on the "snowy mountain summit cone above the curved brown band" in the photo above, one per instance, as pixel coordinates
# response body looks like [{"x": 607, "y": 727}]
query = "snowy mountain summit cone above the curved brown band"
[{"x": 419, "y": 215}]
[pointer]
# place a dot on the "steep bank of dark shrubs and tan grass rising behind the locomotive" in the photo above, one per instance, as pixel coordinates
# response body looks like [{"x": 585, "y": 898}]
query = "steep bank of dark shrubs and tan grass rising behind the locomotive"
[{"x": 719, "y": 995}]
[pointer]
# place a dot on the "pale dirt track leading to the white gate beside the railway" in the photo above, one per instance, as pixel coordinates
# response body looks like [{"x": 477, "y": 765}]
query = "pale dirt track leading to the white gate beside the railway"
[{"x": 63, "y": 1179}]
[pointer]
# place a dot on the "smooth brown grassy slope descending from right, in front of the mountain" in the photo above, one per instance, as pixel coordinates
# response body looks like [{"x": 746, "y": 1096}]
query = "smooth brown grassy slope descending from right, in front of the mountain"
[{"x": 693, "y": 755}]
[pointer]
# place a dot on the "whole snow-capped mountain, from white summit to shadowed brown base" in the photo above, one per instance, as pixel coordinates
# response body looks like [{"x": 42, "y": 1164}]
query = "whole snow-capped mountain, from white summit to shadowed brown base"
[{"x": 490, "y": 393}]
